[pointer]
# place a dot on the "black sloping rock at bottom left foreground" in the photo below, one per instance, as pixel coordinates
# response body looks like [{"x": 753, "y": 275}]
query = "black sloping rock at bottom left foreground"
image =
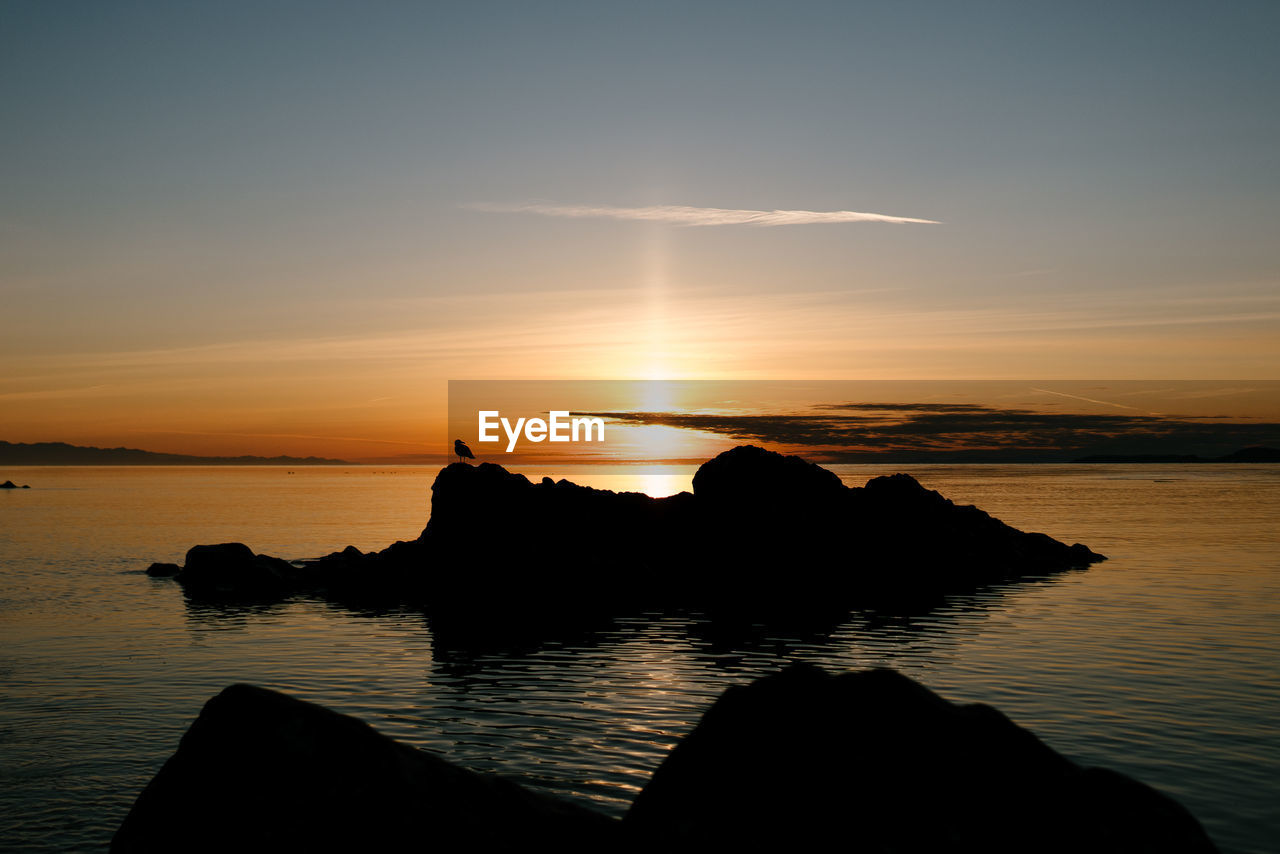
[{"x": 262, "y": 771}]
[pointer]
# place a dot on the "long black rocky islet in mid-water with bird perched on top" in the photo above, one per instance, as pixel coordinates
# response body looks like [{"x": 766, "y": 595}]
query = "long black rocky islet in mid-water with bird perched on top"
[{"x": 760, "y": 532}]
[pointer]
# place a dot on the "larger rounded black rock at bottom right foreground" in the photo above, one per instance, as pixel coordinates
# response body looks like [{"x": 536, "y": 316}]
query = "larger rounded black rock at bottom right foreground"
[{"x": 881, "y": 764}]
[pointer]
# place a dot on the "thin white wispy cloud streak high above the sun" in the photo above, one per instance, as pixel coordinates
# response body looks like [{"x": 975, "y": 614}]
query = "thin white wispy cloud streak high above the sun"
[{"x": 687, "y": 216}]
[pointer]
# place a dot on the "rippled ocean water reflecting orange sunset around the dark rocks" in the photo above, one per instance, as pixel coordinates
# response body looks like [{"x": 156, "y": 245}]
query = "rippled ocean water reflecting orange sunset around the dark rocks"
[{"x": 1162, "y": 663}]
